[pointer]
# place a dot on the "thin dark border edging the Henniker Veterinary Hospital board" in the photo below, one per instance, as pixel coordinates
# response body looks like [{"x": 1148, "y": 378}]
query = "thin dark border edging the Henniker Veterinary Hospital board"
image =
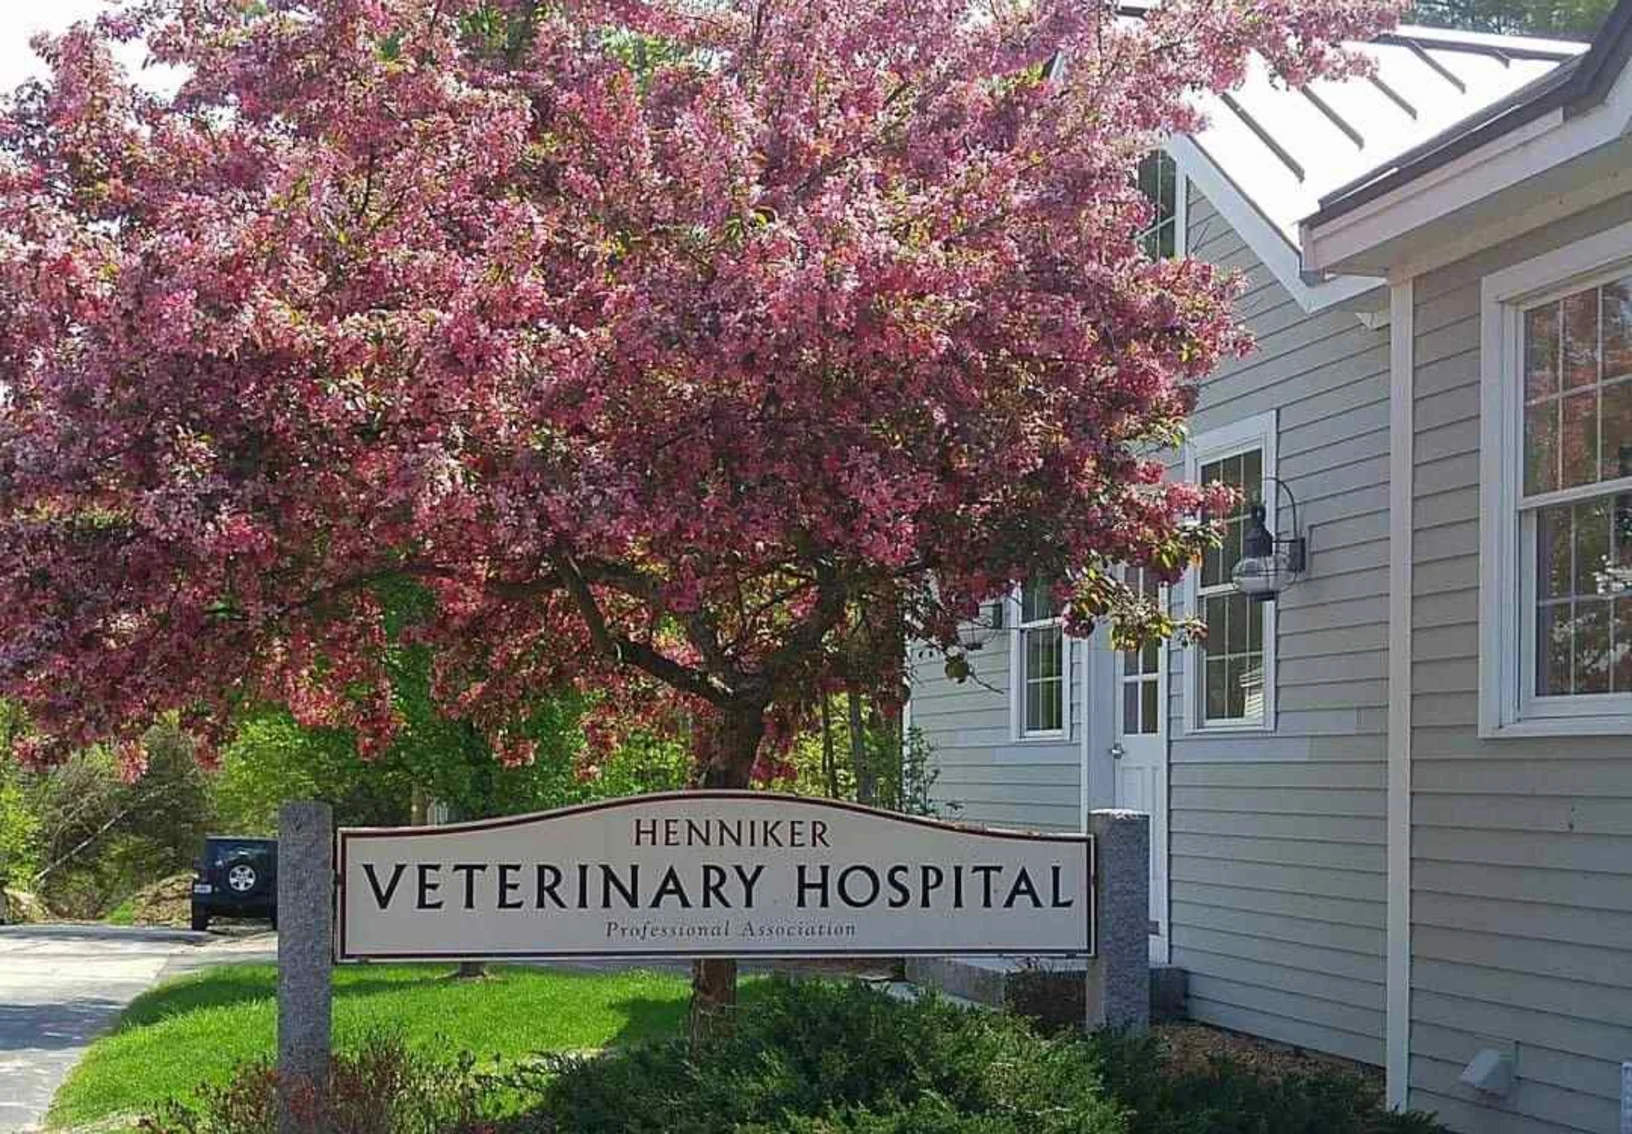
[{"x": 345, "y": 835}]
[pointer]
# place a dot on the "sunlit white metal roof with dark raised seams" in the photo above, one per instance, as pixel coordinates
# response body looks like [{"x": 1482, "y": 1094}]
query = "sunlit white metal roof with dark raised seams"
[{"x": 1287, "y": 149}]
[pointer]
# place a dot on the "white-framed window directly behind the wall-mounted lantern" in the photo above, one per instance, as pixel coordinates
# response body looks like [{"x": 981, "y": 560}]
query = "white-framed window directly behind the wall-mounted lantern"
[{"x": 1233, "y": 675}]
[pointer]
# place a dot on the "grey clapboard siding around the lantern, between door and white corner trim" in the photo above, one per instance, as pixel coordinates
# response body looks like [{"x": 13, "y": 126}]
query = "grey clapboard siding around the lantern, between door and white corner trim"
[{"x": 1279, "y": 844}]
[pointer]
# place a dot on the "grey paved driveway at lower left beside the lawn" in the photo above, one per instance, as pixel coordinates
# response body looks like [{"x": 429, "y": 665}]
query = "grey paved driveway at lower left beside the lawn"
[{"x": 61, "y": 986}]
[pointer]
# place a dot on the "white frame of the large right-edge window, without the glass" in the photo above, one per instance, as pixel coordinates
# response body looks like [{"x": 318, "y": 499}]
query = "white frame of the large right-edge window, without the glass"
[{"x": 1507, "y": 554}]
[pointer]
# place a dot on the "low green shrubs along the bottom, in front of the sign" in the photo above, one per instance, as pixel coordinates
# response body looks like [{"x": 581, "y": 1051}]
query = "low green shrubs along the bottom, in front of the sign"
[{"x": 828, "y": 1058}]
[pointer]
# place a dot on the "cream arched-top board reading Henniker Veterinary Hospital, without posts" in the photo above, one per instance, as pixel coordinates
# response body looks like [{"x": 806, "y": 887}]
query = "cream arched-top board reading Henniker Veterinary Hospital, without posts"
[{"x": 711, "y": 874}]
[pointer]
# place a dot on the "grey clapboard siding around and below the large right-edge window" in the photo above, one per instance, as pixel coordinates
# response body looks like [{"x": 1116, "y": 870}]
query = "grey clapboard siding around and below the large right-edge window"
[{"x": 1522, "y": 849}]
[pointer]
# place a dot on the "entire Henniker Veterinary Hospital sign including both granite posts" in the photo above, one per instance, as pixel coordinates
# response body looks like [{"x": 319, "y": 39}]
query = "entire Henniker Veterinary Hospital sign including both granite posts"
[{"x": 699, "y": 874}]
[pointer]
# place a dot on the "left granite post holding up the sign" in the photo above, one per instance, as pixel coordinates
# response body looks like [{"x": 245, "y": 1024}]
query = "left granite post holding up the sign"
[{"x": 306, "y": 928}]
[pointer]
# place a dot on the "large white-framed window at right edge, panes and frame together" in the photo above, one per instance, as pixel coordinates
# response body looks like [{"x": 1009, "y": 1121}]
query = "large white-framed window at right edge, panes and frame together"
[{"x": 1558, "y": 554}]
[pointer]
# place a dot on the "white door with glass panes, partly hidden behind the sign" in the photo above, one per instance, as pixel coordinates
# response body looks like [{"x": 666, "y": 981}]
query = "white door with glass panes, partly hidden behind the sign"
[{"x": 1140, "y": 756}]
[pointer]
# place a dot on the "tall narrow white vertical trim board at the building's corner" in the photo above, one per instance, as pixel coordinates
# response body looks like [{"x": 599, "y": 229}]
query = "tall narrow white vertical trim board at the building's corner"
[{"x": 1398, "y": 1016}]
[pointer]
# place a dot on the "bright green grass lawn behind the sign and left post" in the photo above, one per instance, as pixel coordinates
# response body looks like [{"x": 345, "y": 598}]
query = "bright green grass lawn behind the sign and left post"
[{"x": 202, "y": 1027}]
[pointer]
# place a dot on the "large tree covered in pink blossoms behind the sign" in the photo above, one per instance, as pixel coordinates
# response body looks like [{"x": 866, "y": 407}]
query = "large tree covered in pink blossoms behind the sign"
[{"x": 662, "y": 347}]
